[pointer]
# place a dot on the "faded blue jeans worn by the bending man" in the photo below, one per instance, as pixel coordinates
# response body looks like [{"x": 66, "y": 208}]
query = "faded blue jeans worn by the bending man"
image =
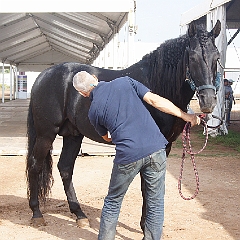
[{"x": 153, "y": 170}]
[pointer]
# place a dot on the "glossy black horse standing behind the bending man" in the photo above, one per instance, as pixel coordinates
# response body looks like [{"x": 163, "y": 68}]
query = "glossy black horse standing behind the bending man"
[{"x": 57, "y": 108}]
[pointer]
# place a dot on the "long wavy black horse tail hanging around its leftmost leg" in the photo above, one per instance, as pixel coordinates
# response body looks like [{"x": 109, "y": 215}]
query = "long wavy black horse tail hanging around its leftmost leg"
[{"x": 44, "y": 178}]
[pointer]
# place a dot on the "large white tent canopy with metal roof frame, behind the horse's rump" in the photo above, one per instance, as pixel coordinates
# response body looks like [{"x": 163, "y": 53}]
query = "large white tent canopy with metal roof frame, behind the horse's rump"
[{"x": 37, "y": 34}]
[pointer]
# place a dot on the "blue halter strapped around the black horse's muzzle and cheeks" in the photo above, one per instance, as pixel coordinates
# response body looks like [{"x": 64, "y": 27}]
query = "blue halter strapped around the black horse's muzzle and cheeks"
[{"x": 208, "y": 86}]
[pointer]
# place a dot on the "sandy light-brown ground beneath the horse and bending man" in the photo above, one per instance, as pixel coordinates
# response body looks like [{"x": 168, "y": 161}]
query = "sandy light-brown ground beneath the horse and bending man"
[{"x": 213, "y": 214}]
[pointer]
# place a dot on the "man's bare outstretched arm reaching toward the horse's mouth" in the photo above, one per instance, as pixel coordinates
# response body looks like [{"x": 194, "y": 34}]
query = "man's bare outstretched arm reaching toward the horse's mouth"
[{"x": 168, "y": 107}]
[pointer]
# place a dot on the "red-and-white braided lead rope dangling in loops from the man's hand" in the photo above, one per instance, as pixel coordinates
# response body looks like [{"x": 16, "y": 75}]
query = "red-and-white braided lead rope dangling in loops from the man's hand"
[{"x": 187, "y": 148}]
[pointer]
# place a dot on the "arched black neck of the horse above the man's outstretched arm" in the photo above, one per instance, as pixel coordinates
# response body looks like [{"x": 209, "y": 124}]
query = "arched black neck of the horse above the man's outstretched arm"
[{"x": 153, "y": 69}]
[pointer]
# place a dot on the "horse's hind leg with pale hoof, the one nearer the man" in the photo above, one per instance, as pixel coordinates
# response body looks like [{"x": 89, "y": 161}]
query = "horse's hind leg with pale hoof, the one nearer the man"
[{"x": 70, "y": 150}]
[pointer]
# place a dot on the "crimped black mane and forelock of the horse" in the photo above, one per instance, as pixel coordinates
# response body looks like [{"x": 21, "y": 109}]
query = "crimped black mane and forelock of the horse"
[{"x": 167, "y": 65}]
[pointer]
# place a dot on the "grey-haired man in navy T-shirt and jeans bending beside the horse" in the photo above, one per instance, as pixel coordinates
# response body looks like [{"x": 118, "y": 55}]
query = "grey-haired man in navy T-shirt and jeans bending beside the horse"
[{"x": 117, "y": 107}]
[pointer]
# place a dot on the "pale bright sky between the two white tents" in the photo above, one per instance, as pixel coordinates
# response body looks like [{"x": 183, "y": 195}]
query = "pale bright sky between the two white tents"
[{"x": 159, "y": 20}]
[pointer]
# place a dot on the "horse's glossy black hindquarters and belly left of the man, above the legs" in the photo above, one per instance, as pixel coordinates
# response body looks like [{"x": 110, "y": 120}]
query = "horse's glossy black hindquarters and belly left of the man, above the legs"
[{"x": 57, "y": 107}]
